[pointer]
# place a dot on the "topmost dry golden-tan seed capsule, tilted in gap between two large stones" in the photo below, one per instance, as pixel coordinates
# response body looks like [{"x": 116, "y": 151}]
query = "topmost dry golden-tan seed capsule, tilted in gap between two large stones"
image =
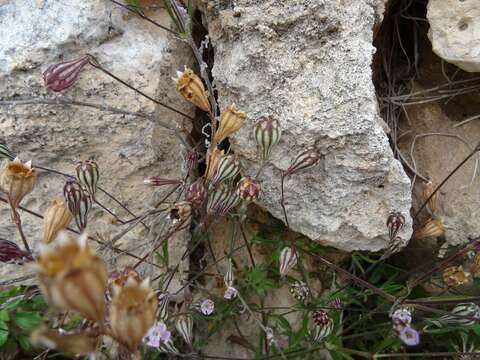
[{"x": 190, "y": 86}]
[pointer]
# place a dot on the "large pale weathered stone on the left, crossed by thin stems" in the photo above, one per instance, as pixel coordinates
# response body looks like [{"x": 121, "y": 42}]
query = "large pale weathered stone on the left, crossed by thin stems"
[{"x": 35, "y": 34}]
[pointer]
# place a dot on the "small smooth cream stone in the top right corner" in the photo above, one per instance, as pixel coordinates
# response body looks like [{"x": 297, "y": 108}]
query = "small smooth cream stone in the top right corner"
[{"x": 454, "y": 32}]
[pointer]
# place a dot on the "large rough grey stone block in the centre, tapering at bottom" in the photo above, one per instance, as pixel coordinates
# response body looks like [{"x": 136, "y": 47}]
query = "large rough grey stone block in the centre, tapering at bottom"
[{"x": 308, "y": 64}]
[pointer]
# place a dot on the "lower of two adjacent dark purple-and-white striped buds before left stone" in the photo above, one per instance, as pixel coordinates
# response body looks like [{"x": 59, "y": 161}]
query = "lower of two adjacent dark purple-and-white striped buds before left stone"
[{"x": 78, "y": 203}]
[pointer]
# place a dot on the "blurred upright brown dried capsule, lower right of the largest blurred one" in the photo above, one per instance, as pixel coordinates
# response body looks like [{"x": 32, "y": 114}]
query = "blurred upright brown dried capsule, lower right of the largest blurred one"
[{"x": 132, "y": 312}]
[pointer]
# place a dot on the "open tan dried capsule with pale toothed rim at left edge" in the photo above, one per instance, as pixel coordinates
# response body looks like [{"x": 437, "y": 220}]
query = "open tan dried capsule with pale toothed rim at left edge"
[{"x": 17, "y": 179}]
